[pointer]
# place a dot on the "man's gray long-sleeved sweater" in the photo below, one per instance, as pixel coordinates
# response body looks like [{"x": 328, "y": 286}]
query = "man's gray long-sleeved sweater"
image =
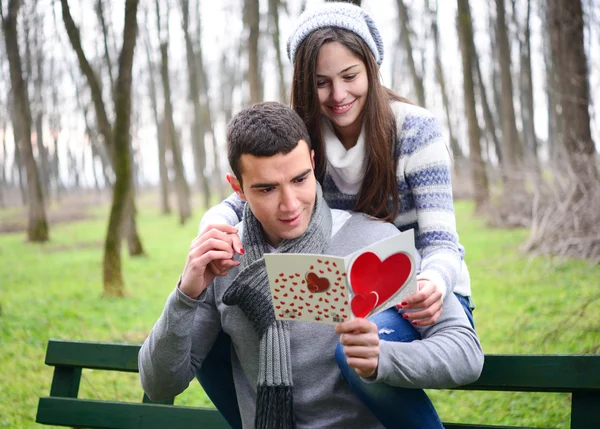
[{"x": 448, "y": 355}]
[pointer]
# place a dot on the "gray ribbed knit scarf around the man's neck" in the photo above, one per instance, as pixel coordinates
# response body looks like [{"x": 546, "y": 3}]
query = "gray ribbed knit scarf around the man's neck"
[{"x": 250, "y": 291}]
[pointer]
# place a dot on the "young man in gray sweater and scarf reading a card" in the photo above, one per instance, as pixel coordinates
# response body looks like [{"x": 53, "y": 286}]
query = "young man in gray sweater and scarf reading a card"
[{"x": 285, "y": 373}]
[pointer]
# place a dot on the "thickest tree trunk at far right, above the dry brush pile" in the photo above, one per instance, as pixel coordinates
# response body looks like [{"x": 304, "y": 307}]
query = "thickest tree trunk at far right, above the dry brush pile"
[{"x": 565, "y": 18}]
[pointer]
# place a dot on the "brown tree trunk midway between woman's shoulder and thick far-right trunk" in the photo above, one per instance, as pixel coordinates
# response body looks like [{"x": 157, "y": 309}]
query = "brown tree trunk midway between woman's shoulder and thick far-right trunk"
[{"x": 465, "y": 34}]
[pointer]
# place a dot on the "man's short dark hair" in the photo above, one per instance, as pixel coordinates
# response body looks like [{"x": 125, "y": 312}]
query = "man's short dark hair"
[{"x": 263, "y": 129}]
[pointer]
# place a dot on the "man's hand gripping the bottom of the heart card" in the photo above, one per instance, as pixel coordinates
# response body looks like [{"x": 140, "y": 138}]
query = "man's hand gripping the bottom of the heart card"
[{"x": 360, "y": 339}]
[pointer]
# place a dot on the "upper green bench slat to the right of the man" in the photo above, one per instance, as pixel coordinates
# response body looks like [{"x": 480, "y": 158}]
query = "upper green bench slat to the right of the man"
[{"x": 538, "y": 373}]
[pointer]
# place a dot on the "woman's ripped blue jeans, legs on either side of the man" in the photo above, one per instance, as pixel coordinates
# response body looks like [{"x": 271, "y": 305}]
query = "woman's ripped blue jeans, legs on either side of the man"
[{"x": 394, "y": 406}]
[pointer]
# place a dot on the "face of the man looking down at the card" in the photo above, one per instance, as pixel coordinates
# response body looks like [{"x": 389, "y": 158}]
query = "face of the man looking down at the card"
[{"x": 281, "y": 191}]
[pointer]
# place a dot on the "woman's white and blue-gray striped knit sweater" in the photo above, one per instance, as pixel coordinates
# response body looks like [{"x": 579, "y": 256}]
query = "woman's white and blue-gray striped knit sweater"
[{"x": 425, "y": 191}]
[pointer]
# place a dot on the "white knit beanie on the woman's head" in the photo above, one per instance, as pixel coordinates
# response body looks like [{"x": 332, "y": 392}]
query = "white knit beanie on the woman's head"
[{"x": 341, "y": 15}]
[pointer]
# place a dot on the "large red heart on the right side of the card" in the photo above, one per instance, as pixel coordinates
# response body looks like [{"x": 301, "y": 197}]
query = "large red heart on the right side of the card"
[{"x": 369, "y": 274}]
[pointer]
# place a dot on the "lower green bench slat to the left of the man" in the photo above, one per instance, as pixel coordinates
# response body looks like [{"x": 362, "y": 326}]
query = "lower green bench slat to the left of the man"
[{"x": 119, "y": 415}]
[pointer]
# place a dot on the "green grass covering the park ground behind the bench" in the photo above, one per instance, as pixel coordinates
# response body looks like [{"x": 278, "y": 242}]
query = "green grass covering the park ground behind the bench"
[{"x": 55, "y": 291}]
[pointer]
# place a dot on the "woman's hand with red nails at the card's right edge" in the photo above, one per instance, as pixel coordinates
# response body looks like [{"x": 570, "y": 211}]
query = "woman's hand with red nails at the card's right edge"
[{"x": 427, "y": 303}]
